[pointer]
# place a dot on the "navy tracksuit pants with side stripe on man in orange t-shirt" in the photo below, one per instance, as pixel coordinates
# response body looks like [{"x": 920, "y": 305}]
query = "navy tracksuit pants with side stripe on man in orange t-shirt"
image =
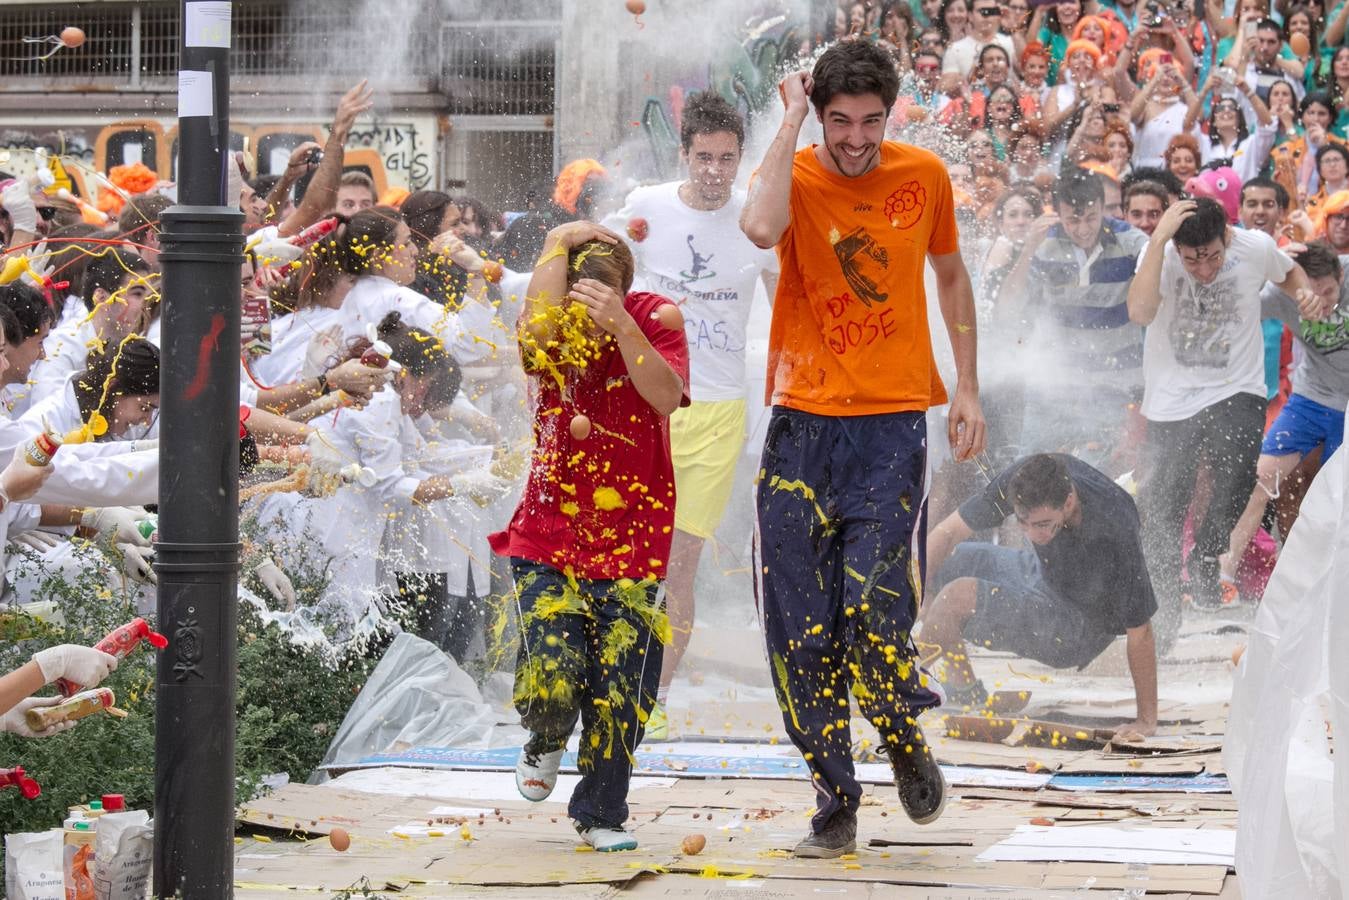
[{"x": 842, "y": 503}]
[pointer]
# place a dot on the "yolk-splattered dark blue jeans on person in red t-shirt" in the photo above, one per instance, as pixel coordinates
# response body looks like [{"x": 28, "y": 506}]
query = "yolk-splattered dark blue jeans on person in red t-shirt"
[{"x": 590, "y": 651}]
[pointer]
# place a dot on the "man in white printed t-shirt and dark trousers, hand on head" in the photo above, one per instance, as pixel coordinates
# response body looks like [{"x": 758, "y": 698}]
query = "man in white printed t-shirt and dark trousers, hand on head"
[{"x": 1197, "y": 291}]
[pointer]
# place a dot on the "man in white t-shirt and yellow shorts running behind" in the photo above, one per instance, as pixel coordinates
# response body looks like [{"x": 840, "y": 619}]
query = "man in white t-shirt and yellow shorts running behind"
[{"x": 690, "y": 248}]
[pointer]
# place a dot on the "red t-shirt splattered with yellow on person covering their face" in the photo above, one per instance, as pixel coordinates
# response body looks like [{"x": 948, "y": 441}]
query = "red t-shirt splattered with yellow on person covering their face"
[{"x": 601, "y": 507}]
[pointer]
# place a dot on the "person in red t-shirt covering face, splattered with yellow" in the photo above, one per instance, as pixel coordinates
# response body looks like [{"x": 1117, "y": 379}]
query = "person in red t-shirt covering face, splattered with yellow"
[{"x": 592, "y": 538}]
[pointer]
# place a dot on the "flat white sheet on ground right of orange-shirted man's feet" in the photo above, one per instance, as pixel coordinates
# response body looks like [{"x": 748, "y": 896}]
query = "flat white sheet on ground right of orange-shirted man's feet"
[{"x": 1108, "y": 844}]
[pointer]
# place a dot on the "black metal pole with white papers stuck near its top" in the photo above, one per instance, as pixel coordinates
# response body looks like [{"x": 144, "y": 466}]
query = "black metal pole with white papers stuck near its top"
[{"x": 198, "y": 558}]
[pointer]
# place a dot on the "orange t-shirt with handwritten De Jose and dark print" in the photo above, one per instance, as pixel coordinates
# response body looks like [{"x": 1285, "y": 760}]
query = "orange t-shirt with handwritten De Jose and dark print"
[{"x": 851, "y": 327}]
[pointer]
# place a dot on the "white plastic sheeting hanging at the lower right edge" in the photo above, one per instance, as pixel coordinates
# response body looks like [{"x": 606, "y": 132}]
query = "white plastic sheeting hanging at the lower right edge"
[{"x": 1293, "y": 686}]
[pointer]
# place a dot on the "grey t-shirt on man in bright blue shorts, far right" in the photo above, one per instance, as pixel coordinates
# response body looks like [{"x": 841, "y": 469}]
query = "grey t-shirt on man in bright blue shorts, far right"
[{"x": 1323, "y": 373}]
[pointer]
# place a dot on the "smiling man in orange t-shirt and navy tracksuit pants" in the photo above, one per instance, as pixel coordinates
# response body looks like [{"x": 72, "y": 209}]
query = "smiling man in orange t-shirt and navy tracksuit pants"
[{"x": 842, "y": 493}]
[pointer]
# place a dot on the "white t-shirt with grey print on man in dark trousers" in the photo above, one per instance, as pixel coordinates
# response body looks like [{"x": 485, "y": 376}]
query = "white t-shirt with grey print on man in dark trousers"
[{"x": 1207, "y": 345}]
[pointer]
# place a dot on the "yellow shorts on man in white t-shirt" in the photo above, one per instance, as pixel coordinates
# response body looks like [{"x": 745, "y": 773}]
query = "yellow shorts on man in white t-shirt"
[{"x": 706, "y": 441}]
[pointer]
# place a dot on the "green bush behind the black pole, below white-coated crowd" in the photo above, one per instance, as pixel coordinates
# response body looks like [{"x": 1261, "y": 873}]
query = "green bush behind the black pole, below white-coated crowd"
[{"x": 291, "y": 702}]
